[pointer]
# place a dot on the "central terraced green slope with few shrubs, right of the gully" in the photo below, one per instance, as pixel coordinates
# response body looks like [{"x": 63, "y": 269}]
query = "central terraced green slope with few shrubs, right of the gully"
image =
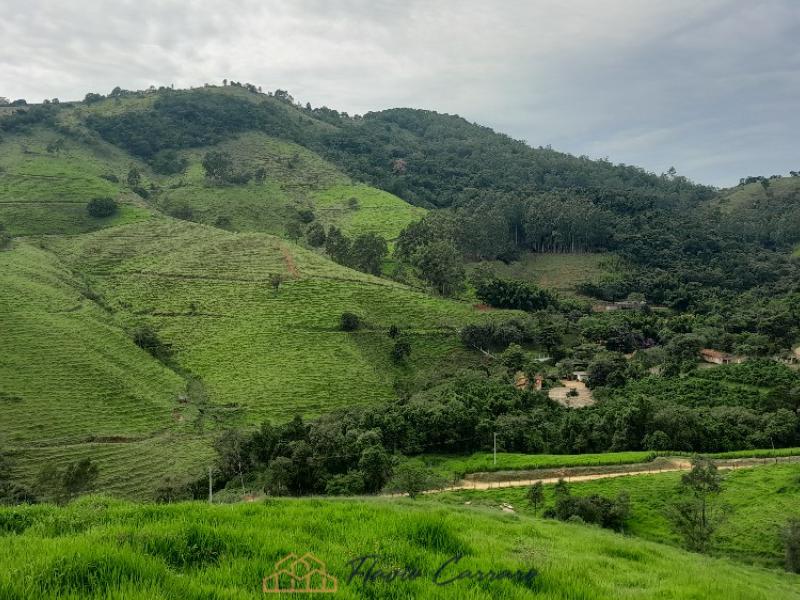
[{"x": 274, "y": 353}]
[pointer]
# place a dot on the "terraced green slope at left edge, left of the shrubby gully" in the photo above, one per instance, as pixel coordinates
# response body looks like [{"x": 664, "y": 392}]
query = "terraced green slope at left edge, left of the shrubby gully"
[{"x": 76, "y": 385}]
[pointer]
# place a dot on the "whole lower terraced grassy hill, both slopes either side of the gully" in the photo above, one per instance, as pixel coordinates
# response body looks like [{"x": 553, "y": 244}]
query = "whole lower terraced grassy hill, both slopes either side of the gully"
[{"x": 76, "y": 385}]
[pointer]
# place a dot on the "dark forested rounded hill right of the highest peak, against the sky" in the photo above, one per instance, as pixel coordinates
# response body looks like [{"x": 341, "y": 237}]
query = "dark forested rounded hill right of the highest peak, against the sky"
[{"x": 436, "y": 160}]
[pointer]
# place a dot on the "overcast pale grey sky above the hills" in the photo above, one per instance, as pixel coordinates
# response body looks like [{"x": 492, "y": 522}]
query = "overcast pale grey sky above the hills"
[{"x": 710, "y": 87}]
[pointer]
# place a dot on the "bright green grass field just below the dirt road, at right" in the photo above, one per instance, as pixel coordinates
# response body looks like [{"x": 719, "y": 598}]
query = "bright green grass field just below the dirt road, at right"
[{"x": 760, "y": 500}]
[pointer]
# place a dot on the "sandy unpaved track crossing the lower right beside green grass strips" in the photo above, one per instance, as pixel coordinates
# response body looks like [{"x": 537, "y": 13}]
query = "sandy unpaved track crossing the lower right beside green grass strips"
[{"x": 578, "y": 474}]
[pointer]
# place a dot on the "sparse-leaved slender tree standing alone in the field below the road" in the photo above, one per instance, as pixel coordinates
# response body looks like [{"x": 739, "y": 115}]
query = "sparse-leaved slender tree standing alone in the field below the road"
[{"x": 696, "y": 515}]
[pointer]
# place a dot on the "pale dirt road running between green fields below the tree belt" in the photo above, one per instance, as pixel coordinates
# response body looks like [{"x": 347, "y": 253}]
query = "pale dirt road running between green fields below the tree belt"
[{"x": 495, "y": 480}]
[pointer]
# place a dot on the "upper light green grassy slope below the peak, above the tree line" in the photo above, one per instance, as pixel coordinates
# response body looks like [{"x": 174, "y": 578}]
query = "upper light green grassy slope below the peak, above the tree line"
[{"x": 296, "y": 180}]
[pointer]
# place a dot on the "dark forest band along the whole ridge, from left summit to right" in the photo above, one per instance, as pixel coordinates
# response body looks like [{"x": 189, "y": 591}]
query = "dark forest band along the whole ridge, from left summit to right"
[{"x": 426, "y": 158}]
